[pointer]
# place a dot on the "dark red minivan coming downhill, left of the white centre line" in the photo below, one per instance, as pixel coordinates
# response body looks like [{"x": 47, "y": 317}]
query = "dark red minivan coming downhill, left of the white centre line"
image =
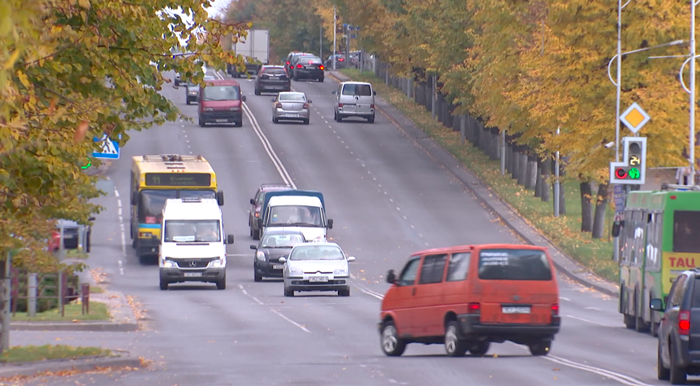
[{"x": 221, "y": 101}]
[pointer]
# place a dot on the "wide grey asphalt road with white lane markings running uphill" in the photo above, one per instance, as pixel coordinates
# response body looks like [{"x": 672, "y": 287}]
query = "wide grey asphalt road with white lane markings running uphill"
[{"x": 388, "y": 198}]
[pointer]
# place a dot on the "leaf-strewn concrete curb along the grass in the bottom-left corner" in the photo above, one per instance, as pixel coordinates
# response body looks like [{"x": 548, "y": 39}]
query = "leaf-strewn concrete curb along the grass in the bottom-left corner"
[{"x": 36, "y": 368}]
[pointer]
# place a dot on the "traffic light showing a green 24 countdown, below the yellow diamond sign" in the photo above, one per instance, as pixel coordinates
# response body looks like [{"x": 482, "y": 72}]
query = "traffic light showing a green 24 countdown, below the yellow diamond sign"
[{"x": 632, "y": 169}]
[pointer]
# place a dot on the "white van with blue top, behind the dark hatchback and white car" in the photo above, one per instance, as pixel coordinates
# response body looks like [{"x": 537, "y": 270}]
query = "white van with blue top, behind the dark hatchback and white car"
[{"x": 302, "y": 213}]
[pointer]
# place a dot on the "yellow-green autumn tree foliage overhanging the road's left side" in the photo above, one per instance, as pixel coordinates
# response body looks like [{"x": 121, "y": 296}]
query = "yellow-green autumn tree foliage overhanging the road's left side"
[{"x": 72, "y": 70}]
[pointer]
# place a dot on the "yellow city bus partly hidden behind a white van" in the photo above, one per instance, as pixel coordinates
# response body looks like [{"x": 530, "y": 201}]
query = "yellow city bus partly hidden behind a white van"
[{"x": 154, "y": 179}]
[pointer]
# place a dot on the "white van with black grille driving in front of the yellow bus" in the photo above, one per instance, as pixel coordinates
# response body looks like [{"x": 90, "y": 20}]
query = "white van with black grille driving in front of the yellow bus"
[{"x": 192, "y": 245}]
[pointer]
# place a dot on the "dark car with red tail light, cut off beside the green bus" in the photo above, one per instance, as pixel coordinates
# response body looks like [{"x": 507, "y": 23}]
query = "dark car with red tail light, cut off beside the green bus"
[{"x": 678, "y": 352}]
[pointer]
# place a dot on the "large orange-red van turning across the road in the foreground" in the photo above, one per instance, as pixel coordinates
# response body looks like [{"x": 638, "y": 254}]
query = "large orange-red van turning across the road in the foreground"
[{"x": 466, "y": 297}]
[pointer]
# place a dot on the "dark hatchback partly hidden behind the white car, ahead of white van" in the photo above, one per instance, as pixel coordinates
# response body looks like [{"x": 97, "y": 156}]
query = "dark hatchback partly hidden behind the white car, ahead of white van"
[{"x": 273, "y": 245}]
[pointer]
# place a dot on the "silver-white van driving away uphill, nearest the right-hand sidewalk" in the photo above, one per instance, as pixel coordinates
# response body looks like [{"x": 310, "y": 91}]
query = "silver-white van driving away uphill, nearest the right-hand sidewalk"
[{"x": 354, "y": 99}]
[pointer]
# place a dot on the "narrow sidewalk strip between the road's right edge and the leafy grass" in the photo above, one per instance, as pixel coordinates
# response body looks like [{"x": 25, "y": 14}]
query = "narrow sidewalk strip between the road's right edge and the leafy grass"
[{"x": 505, "y": 212}]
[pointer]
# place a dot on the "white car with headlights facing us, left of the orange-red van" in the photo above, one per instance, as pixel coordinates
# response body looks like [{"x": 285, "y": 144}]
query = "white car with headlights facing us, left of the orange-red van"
[{"x": 319, "y": 266}]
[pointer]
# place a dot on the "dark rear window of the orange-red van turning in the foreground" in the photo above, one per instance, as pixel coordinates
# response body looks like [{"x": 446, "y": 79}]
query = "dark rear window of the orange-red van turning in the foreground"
[{"x": 514, "y": 264}]
